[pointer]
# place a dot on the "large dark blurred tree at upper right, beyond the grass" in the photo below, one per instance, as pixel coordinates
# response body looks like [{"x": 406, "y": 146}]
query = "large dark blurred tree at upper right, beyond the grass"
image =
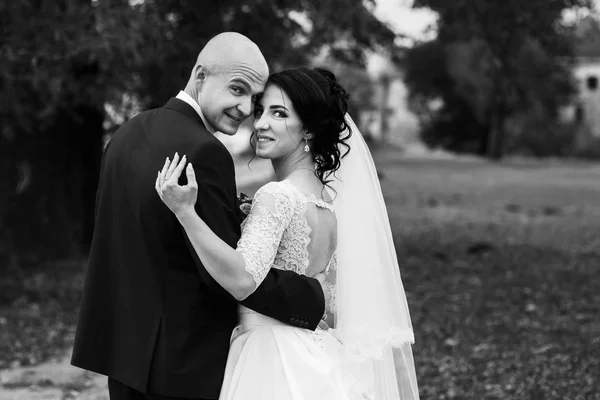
[{"x": 496, "y": 73}]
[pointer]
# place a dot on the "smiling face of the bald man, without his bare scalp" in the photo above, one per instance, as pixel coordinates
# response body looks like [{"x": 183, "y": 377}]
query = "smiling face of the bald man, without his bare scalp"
[{"x": 227, "y": 96}]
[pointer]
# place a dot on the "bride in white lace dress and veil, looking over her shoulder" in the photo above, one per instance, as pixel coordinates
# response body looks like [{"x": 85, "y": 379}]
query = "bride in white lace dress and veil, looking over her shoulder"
[{"x": 324, "y": 216}]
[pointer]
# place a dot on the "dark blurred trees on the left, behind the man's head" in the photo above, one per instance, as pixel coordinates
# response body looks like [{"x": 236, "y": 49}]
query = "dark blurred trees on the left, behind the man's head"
[{"x": 65, "y": 62}]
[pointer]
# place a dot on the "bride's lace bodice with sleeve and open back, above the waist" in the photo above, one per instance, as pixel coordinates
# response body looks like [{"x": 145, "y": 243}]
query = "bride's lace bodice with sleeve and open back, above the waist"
[{"x": 300, "y": 228}]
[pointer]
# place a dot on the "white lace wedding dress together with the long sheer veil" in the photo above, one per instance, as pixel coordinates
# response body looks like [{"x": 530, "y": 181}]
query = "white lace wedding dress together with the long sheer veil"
[{"x": 368, "y": 354}]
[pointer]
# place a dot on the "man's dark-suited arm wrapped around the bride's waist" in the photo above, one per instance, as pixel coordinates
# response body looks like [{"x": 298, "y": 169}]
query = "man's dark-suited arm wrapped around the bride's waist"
[{"x": 284, "y": 295}]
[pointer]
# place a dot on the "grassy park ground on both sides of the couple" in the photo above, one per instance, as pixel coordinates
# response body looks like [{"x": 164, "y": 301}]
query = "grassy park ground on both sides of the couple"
[{"x": 500, "y": 263}]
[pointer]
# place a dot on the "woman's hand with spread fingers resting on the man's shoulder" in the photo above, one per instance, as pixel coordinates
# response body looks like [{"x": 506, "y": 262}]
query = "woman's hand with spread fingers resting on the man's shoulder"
[{"x": 179, "y": 199}]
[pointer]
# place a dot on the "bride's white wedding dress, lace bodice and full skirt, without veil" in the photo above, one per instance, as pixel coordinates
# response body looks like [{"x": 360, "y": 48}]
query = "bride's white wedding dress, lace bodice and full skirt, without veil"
[{"x": 270, "y": 360}]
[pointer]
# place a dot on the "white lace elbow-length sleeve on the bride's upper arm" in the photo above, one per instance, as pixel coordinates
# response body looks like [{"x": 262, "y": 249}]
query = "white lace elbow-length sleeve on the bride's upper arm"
[{"x": 269, "y": 216}]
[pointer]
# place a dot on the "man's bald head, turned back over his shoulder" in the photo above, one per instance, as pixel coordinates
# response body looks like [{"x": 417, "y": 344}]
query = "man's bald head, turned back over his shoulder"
[{"x": 230, "y": 73}]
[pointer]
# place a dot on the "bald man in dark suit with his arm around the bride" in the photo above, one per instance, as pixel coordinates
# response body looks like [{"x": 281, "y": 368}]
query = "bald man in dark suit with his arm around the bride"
[{"x": 152, "y": 319}]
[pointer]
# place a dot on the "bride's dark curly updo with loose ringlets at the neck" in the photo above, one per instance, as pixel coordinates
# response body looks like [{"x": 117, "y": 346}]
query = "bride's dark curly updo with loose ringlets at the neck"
[{"x": 321, "y": 103}]
